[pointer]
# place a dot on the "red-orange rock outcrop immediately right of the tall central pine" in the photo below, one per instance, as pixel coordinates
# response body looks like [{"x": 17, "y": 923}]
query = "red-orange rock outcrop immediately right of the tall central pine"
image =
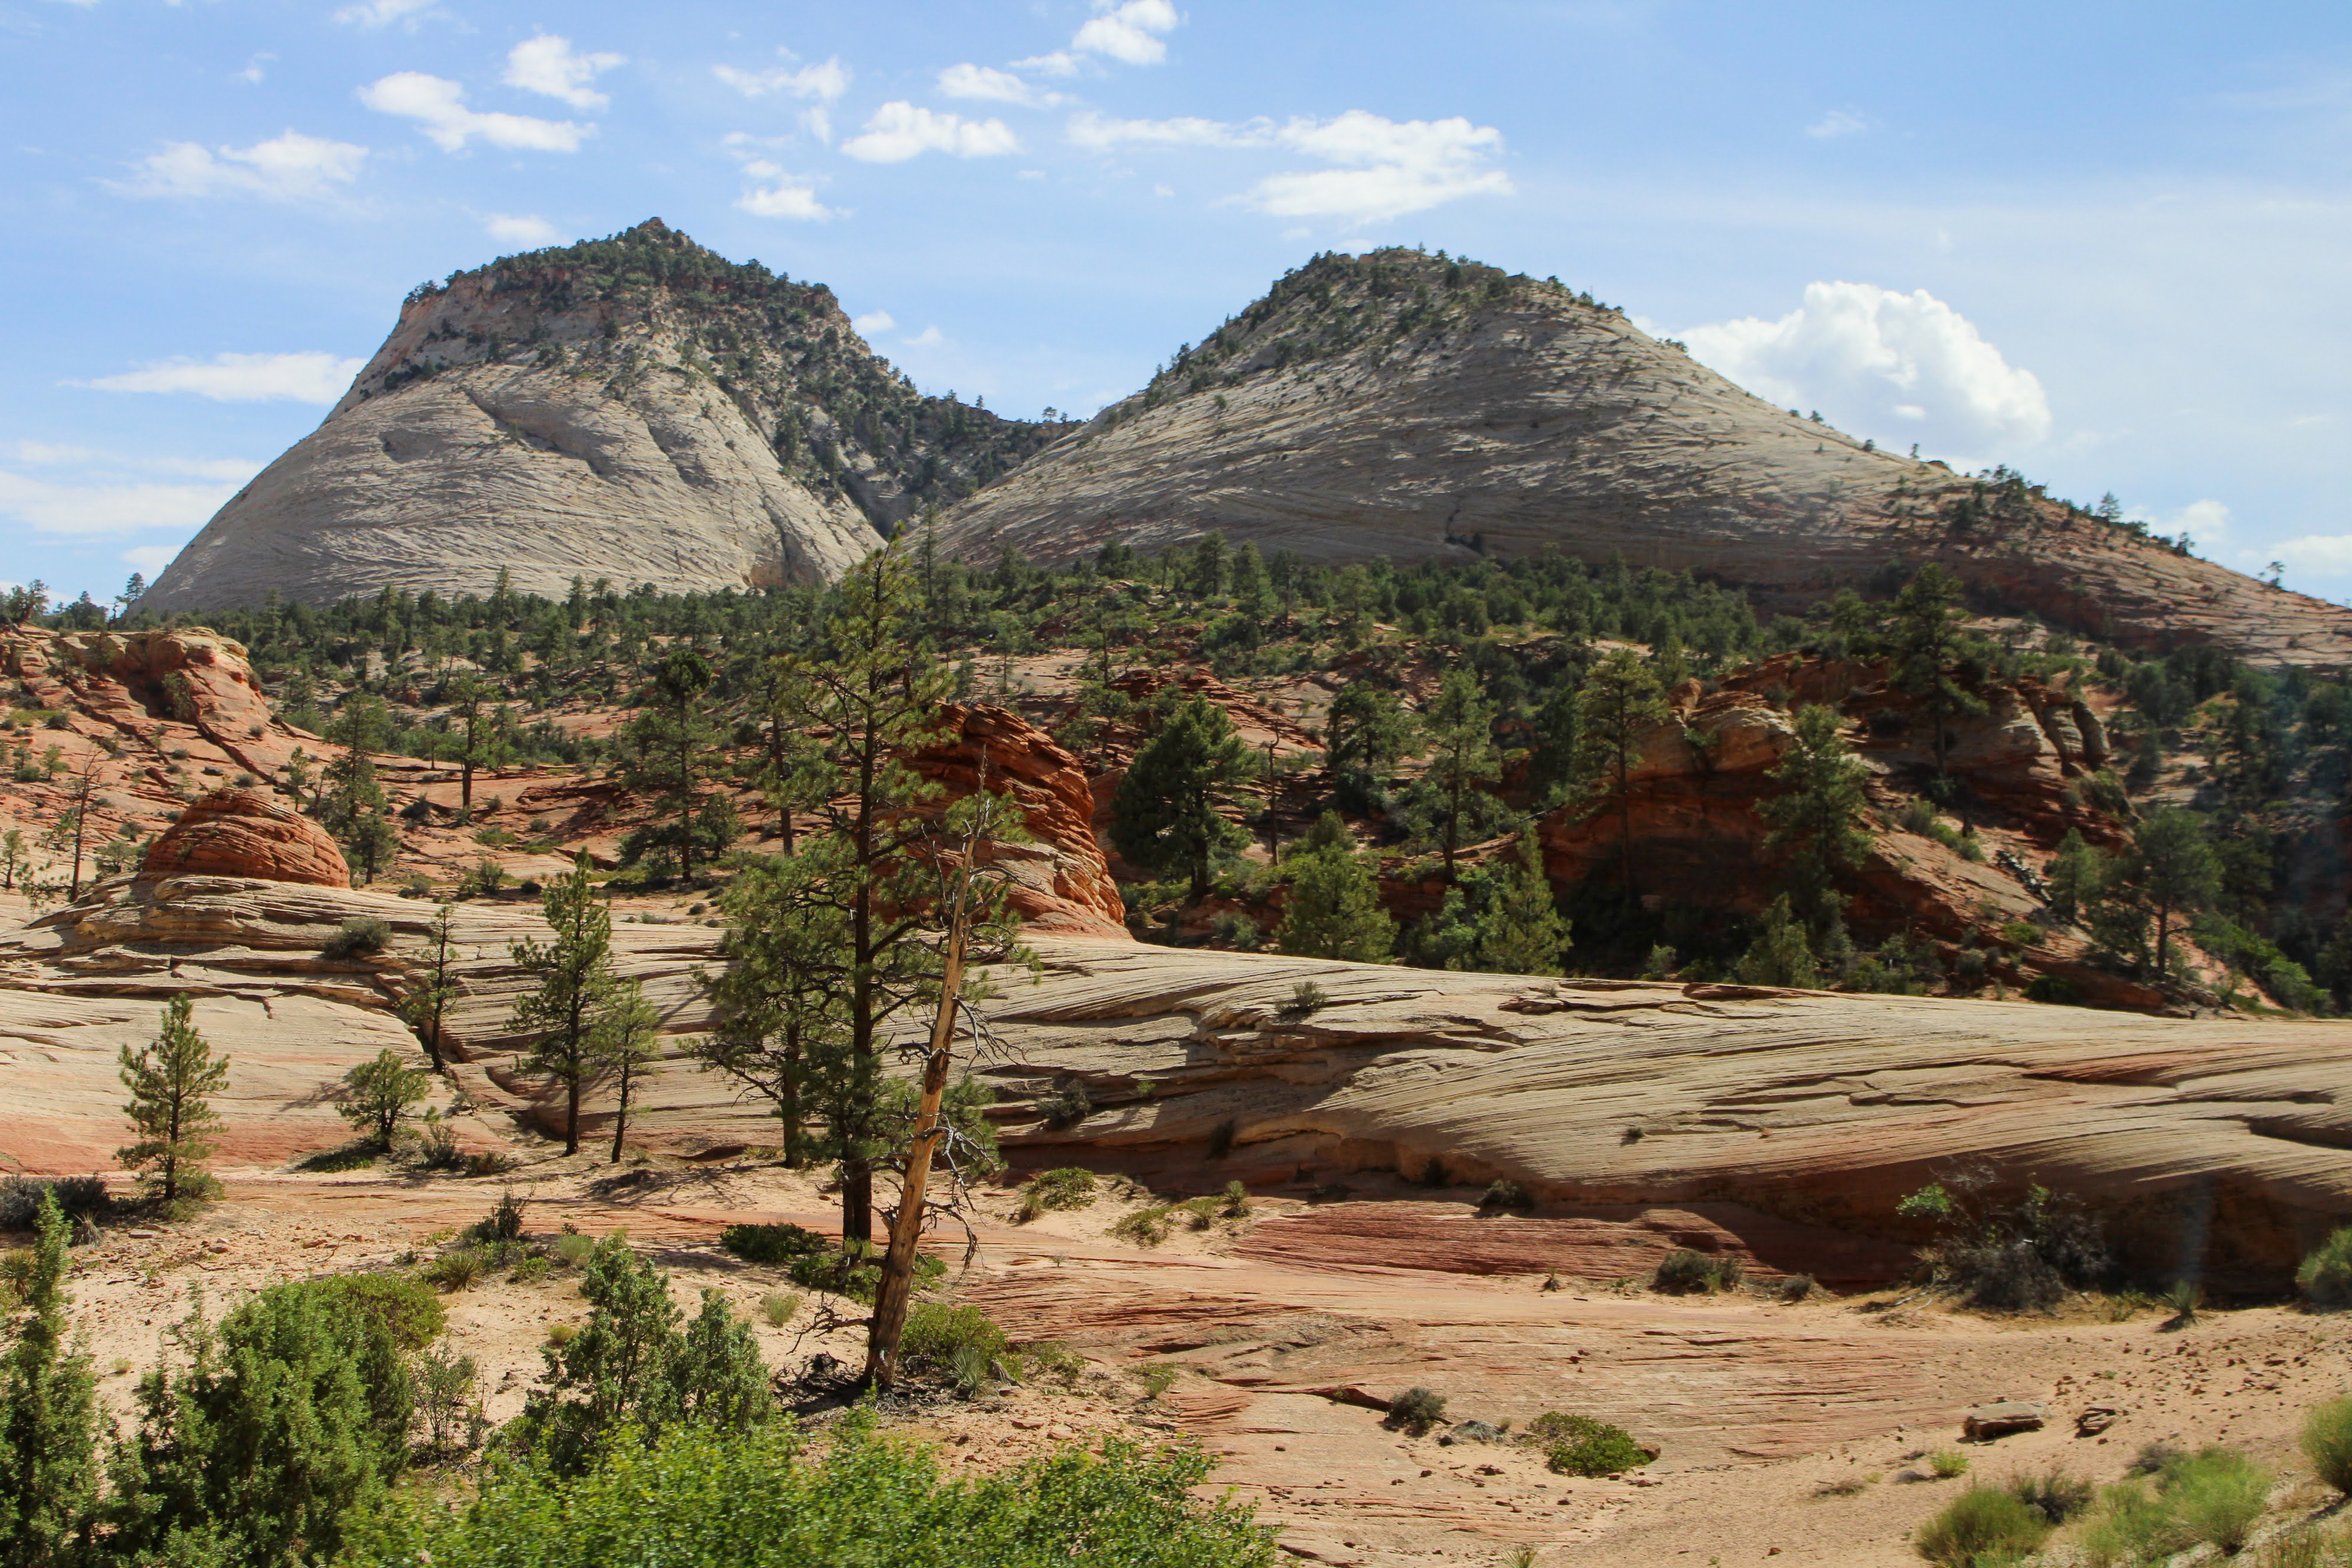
[{"x": 1060, "y": 880}]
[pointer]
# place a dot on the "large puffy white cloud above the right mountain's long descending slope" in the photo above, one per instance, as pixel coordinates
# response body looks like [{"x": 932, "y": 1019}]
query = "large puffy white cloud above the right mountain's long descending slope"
[{"x": 1883, "y": 363}]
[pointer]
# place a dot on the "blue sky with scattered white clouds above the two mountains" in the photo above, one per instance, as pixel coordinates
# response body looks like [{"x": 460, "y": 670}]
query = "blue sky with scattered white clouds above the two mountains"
[{"x": 2102, "y": 243}]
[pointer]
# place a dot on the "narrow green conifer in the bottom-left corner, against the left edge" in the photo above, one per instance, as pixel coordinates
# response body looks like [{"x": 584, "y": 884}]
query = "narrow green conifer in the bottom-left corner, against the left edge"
[{"x": 48, "y": 1421}]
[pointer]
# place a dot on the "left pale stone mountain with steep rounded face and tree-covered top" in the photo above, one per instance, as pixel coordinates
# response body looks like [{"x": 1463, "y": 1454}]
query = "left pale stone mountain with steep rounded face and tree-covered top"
[{"x": 636, "y": 410}]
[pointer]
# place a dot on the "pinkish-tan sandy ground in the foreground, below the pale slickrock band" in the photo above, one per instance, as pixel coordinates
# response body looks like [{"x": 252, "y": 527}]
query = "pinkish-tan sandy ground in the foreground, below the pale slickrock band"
[{"x": 1786, "y": 1430}]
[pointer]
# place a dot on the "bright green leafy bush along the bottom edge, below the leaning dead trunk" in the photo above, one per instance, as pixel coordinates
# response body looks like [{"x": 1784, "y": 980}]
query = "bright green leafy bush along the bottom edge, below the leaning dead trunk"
[{"x": 761, "y": 1501}]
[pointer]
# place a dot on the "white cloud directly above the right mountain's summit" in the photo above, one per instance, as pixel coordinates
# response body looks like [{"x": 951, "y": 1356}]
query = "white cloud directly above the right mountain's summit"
[{"x": 1387, "y": 168}]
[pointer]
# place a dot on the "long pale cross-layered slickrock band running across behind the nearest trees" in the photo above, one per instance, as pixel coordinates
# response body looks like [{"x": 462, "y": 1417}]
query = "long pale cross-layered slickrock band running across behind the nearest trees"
[{"x": 1784, "y": 1125}]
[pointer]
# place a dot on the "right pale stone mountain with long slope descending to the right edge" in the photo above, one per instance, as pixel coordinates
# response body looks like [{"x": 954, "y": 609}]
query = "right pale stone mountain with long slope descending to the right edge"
[{"x": 1424, "y": 408}]
